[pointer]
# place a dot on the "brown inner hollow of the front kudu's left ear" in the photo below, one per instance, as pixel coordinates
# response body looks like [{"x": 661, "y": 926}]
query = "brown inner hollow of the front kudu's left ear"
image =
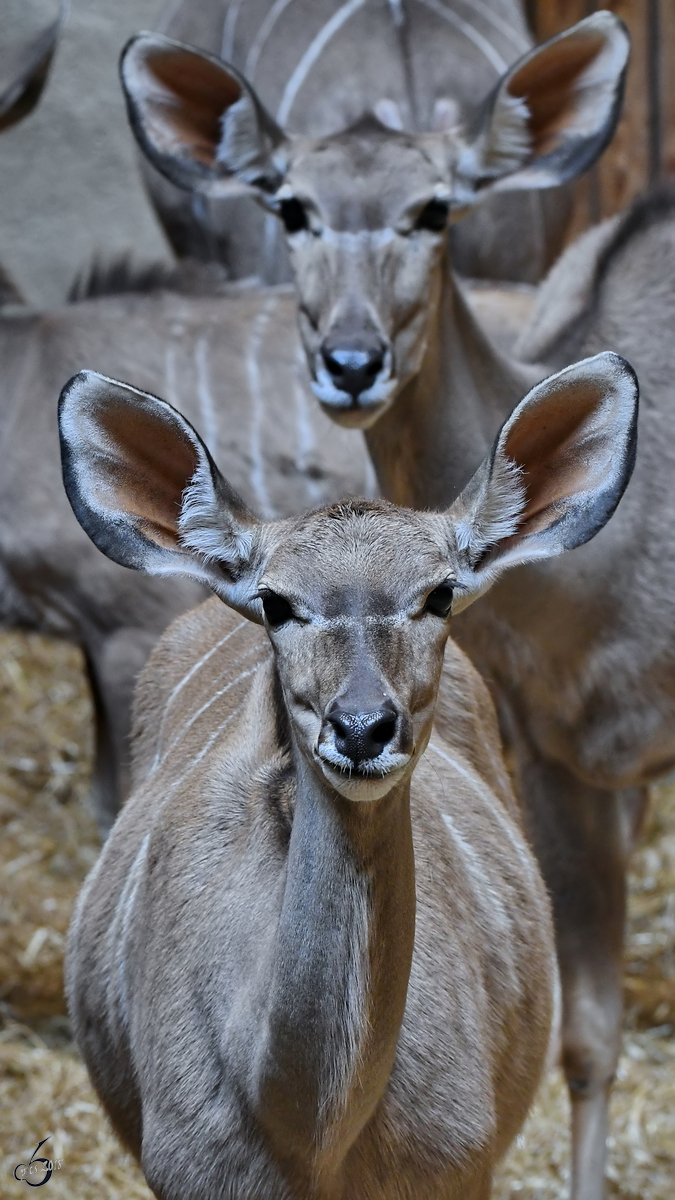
[{"x": 150, "y": 466}]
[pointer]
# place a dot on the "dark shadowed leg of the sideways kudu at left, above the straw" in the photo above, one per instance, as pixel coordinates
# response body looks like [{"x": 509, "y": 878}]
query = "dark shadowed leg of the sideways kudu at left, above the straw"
[{"x": 114, "y": 665}]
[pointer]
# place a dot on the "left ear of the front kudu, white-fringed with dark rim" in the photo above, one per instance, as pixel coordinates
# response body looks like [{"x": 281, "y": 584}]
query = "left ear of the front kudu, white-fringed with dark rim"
[{"x": 145, "y": 488}]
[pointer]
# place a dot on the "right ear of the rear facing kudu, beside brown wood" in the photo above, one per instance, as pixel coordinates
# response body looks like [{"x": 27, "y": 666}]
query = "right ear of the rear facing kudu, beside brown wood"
[{"x": 553, "y": 113}]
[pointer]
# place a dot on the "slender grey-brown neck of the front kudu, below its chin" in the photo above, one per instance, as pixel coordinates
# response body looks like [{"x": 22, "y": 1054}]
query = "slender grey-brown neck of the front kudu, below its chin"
[{"x": 339, "y": 976}]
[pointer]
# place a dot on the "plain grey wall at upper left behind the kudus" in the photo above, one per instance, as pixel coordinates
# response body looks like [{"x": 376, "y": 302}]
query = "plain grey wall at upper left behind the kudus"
[{"x": 69, "y": 181}]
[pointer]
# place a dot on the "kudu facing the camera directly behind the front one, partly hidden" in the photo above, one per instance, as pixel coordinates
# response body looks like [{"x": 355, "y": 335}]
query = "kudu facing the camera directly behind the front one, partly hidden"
[{"x": 572, "y": 649}]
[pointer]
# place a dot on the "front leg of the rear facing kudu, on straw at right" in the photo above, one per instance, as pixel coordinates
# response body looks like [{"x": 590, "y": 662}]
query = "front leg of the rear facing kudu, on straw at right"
[{"x": 583, "y": 837}]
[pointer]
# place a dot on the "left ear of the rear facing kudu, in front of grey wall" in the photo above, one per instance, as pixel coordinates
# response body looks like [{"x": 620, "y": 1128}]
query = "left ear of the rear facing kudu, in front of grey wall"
[{"x": 198, "y": 119}]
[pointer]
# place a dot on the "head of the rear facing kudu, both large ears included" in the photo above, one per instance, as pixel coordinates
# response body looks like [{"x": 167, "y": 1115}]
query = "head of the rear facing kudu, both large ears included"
[{"x": 367, "y": 211}]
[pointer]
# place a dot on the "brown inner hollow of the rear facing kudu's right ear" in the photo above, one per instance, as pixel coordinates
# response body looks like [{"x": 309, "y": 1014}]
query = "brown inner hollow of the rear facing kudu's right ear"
[{"x": 549, "y": 86}]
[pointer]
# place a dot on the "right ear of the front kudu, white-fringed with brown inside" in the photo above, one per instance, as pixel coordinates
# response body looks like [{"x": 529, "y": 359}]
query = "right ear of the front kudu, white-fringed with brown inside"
[{"x": 557, "y": 473}]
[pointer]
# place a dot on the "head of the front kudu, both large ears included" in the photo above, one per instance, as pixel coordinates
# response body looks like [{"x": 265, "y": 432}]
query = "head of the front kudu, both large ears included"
[{"x": 356, "y": 598}]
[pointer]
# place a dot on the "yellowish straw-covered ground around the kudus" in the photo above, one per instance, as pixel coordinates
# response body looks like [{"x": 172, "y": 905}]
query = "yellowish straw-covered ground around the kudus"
[{"x": 47, "y": 844}]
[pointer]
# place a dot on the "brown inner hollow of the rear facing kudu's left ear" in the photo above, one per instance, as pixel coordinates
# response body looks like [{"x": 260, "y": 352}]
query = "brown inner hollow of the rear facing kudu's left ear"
[{"x": 195, "y": 95}]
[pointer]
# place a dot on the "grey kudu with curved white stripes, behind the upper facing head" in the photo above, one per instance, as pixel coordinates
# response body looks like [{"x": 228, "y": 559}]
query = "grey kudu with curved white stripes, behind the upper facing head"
[{"x": 319, "y": 65}]
